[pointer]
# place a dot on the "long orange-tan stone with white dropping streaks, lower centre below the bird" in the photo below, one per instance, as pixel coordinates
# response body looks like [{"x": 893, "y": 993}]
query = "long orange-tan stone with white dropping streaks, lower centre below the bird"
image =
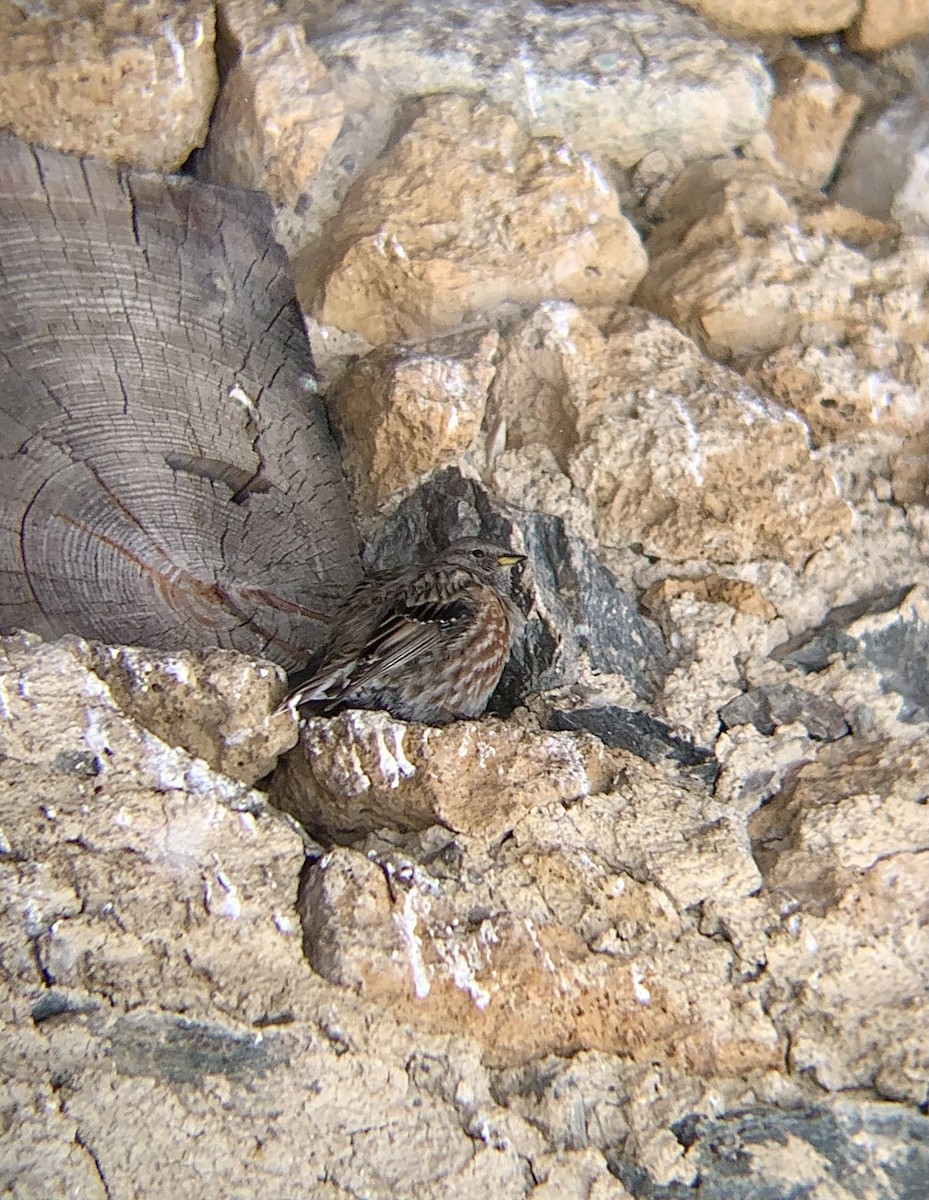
[{"x": 524, "y": 985}]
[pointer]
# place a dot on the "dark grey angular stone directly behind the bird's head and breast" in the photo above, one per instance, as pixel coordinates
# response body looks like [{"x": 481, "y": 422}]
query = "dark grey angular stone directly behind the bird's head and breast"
[{"x": 578, "y": 607}]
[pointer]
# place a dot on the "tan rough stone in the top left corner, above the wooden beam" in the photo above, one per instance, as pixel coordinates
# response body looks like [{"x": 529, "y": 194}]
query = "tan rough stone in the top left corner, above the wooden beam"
[{"x": 133, "y": 83}]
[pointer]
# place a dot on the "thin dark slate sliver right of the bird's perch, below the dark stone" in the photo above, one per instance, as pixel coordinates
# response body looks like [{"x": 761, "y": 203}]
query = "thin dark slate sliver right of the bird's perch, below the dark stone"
[{"x": 642, "y": 735}]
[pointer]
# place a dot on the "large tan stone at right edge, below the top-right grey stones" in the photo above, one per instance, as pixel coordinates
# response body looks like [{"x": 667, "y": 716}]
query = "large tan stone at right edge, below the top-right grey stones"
[{"x": 807, "y": 272}]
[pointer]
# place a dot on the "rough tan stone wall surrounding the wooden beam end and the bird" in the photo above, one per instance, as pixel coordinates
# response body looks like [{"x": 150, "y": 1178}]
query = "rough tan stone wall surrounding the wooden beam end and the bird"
[{"x": 657, "y": 927}]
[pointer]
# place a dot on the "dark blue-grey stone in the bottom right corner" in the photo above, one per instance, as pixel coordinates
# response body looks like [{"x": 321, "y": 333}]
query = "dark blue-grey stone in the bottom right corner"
[{"x": 871, "y": 1150}]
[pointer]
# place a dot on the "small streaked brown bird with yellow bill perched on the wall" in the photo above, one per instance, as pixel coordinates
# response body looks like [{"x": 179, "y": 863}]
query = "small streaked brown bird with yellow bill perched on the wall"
[{"x": 427, "y": 643}]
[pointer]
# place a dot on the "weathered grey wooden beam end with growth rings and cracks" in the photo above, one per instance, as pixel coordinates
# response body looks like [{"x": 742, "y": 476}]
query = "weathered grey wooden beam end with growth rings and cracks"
[{"x": 167, "y": 475}]
